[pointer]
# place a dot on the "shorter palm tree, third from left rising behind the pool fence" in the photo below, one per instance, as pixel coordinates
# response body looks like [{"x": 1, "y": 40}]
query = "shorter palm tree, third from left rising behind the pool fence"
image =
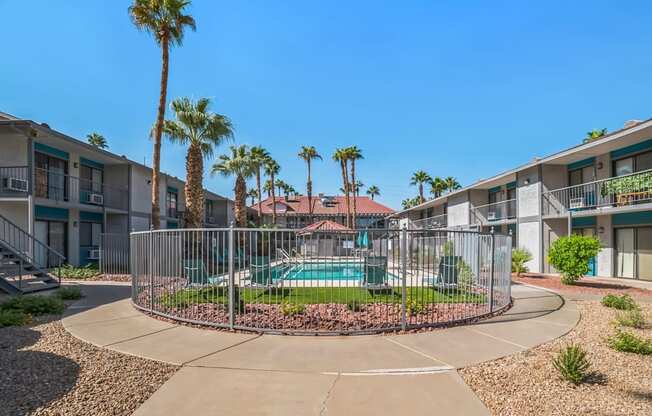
[{"x": 240, "y": 165}]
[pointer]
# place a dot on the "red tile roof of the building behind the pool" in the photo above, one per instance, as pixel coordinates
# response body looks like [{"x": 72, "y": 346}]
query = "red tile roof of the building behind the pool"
[{"x": 299, "y": 206}]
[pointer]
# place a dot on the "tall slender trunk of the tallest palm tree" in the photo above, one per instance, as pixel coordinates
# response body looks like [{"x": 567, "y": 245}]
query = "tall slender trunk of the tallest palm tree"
[{"x": 158, "y": 130}]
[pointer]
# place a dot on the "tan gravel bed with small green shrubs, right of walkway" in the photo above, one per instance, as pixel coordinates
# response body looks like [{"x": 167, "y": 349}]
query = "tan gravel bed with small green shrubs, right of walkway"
[{"x": 528, "y": 384}]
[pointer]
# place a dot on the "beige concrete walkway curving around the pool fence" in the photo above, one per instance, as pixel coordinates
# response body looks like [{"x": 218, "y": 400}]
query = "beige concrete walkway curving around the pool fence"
[{"x": 249, "y": 374}]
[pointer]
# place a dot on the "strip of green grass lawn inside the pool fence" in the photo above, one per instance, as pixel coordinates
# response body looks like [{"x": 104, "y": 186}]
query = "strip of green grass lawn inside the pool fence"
[{"x": 314, "y": 295}]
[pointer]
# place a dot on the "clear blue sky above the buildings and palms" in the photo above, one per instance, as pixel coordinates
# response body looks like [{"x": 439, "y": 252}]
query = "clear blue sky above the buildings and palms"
[{"x": 466, "y": 90}]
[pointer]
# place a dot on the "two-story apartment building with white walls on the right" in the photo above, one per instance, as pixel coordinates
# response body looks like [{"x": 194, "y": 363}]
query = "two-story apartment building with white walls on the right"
[{"x": 601, "y": 188}]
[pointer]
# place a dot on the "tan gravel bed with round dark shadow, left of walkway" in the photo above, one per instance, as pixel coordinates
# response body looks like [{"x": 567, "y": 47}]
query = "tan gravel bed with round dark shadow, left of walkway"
[{"x": 46, "y": 371}]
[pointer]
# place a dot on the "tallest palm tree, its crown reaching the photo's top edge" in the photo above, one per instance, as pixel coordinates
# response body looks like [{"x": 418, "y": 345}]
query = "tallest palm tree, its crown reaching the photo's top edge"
[{"x": 166, "y": 21}]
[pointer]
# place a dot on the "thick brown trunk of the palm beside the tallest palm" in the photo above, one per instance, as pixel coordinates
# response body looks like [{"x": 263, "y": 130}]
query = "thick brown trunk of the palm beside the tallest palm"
[{"x": 194, "y": 187}]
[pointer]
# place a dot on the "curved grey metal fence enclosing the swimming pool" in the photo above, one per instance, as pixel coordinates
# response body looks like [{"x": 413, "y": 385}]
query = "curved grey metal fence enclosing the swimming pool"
[{"x": 320, "y": 282}]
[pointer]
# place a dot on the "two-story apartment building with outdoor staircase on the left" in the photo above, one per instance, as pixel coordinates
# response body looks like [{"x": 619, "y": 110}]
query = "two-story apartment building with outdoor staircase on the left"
[{"x": 61, "y": 193}]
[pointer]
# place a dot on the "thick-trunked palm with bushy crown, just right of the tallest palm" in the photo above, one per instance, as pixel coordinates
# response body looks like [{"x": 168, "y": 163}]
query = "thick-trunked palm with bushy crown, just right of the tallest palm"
[{"x": 202, "y": 131}]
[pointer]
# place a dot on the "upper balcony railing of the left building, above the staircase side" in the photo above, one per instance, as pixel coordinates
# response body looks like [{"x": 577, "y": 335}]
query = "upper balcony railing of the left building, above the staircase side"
[{"x": 60, "y": 187}]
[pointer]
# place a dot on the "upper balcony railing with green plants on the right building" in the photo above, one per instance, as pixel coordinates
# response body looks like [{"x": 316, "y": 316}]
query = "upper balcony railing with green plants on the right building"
[{"x": 620, "y": 191}]
